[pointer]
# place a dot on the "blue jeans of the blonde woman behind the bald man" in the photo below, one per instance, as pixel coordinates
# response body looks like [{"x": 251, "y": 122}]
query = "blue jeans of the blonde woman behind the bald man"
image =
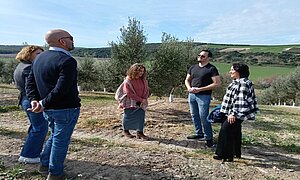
[{"x": 37, "y": 132}]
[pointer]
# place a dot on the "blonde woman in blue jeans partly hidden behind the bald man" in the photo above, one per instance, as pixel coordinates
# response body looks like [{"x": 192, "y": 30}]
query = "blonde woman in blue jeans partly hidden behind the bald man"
[{"x": 38, "y": 128}]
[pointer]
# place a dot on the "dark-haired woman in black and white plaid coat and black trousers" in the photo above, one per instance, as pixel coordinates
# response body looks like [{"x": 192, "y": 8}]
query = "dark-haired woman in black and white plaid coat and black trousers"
[{"x": 239, "y": 104}]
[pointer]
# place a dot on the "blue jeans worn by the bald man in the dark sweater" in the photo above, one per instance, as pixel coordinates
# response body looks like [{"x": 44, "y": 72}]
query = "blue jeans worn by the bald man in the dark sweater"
[{"x": 61, "y": 123}]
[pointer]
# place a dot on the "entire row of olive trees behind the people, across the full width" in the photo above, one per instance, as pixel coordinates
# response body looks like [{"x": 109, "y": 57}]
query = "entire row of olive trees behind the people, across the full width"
[{"x": 166, "y": 67}]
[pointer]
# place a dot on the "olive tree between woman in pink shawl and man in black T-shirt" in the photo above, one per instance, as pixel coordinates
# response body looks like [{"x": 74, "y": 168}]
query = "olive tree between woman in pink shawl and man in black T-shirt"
[{"x": 169, "y": 66}]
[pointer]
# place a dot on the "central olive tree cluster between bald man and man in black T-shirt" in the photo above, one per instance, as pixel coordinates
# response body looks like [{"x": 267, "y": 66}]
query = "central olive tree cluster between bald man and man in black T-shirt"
[{"x": 166, "y": 67}]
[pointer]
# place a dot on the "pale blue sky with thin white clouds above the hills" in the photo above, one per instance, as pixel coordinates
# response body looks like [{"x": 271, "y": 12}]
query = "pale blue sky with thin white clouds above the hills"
[{"x": 95, "y": 23}]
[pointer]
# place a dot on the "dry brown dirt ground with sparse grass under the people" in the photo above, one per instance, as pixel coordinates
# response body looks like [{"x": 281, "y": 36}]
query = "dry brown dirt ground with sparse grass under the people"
[{"x": 99, "y": 151}]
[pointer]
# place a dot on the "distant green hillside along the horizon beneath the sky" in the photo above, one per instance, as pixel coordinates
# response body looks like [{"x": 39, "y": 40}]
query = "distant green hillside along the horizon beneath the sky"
[{"x": 264, "y": 55}]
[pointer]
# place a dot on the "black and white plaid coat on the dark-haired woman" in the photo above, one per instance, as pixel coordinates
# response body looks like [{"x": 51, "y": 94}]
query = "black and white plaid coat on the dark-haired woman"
[{"x": 240, "y": 100}]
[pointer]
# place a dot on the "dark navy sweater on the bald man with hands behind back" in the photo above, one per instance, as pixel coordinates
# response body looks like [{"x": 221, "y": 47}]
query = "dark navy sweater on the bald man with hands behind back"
[{"x": 53, "y": 79}]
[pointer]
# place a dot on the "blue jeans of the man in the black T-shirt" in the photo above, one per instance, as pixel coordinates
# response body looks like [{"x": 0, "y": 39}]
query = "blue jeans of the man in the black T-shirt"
[{"x": 199, "y": 107}]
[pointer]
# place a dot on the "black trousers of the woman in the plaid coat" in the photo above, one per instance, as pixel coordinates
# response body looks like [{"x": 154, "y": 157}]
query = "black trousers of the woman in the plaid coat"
[{"x": 230, "y": 140}]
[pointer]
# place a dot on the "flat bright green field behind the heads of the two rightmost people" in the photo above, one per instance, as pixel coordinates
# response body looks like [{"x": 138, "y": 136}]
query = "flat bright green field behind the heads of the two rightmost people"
[{"x": 258, "y": 72}]
